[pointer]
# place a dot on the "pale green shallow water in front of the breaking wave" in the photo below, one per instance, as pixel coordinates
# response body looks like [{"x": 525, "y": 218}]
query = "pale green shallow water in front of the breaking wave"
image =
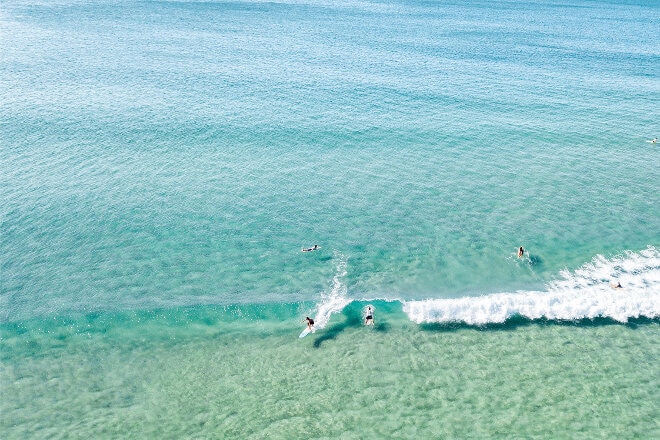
[{"x": 197, "y": 373}]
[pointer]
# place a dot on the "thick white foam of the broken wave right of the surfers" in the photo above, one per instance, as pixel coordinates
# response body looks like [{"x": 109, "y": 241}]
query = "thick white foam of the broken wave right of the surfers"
[{"x": 584, "y": 293}]
